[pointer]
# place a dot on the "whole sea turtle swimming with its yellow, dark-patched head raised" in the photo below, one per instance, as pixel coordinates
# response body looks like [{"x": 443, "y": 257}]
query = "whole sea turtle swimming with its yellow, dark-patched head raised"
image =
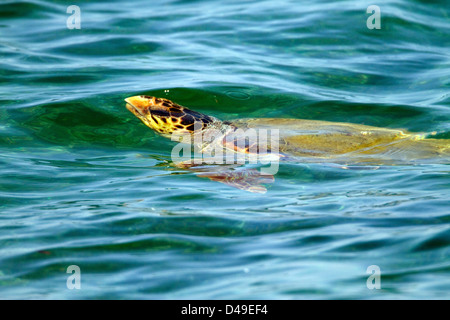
[{"x": 338, "y": 143}]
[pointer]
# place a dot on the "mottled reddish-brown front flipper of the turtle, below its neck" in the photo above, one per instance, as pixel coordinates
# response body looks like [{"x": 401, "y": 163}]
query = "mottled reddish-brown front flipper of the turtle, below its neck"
[{"x": 248, "y": 179}]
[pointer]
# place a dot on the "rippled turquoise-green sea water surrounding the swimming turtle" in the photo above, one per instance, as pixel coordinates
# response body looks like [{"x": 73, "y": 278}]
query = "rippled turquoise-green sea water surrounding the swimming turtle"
[{"x": 83, "y": 182}]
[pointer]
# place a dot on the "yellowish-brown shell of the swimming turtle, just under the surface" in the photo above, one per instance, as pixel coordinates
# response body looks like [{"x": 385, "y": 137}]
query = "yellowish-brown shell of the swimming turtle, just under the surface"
[{"x": 350, "y": 143}]
